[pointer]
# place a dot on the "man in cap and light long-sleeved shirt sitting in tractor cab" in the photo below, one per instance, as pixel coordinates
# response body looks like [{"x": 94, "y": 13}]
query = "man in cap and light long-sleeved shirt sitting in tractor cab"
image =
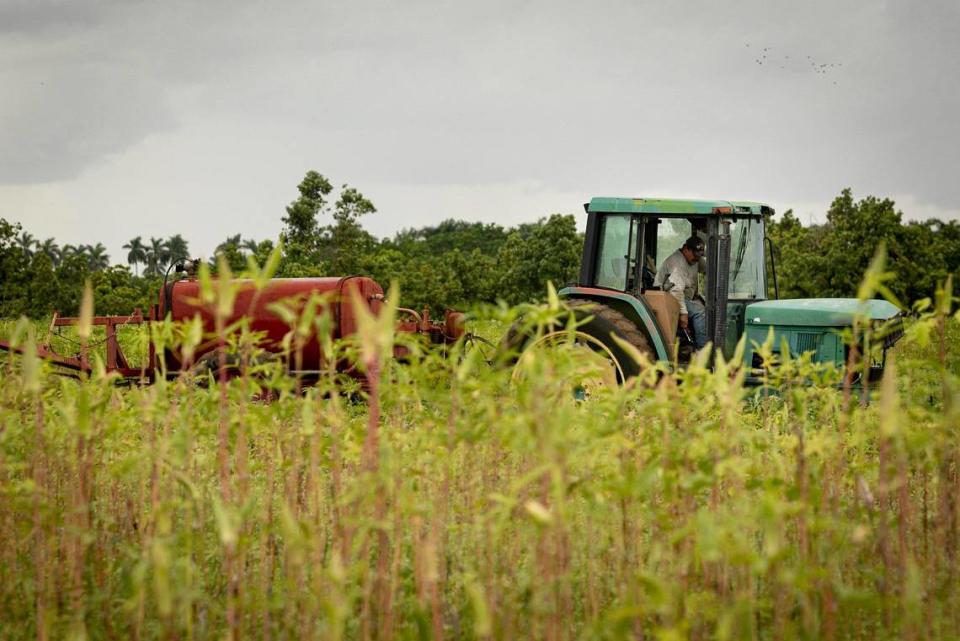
[{"x": 680, "y": 275}]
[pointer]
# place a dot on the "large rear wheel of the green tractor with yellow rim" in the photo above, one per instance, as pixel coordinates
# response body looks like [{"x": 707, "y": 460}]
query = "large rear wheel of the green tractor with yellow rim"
[{"x": 595, "y": 334}]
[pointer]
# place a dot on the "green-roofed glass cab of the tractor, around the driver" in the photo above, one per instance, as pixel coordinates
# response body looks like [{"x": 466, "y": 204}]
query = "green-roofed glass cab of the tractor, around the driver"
[{"x": 628, "y": 240}]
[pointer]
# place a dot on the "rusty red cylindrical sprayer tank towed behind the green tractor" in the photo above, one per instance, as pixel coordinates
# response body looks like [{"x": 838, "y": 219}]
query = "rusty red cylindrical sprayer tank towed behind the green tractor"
[{"x": 182, "y": 300}]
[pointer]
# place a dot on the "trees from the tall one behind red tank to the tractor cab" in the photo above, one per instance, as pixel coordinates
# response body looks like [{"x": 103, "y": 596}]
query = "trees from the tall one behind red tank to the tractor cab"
[{"x": 453, "y": 264}]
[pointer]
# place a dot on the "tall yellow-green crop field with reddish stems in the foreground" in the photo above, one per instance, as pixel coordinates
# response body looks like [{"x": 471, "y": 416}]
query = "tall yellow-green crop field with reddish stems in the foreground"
[{"x": 445, "y": 497}]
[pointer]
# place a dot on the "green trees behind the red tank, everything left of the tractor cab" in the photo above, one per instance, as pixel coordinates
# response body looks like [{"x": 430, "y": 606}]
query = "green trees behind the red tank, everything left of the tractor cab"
[{"x": 452, "y": 264}]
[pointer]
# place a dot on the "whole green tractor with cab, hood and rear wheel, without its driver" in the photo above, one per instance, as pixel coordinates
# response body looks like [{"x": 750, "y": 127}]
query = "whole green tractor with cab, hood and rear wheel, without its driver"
[{"x": 628, "y": 238}]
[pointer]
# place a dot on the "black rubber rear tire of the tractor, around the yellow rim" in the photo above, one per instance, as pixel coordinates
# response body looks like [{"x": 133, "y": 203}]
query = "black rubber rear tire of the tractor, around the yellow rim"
[{"x": 603, "y": 321}]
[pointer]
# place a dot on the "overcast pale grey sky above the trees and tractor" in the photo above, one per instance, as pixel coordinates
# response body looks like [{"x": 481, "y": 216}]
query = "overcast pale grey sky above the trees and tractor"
[{"x": 135, "y": 118}]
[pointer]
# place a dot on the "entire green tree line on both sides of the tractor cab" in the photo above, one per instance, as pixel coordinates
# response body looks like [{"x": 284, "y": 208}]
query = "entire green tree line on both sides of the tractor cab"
[{"x": 457, "y": 263}]
